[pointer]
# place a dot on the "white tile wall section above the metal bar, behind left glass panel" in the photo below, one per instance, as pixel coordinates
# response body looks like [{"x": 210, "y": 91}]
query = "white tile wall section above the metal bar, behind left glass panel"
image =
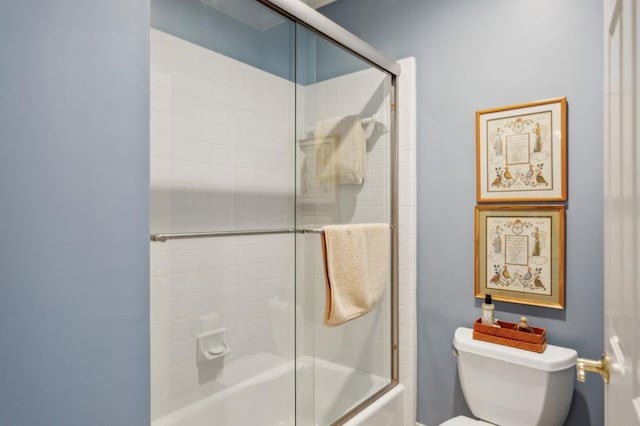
[{"x": 221, "y": 135}]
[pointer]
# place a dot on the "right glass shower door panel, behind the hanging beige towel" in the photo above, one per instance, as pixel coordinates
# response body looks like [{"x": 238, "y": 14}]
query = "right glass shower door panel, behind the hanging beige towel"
[{"x": 342, "y": 102}]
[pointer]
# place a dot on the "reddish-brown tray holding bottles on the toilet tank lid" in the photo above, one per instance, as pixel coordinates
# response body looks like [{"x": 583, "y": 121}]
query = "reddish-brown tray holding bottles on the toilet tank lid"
[{"x": 509, "y": 335}]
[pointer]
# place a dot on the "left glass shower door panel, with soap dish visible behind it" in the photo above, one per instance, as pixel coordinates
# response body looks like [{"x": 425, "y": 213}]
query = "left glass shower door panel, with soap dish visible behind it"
[{"x": 222, "y": 214}]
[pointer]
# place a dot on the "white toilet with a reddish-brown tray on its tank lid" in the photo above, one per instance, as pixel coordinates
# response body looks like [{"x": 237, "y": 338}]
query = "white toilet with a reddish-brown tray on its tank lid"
[{"x": 513, "y": 387}]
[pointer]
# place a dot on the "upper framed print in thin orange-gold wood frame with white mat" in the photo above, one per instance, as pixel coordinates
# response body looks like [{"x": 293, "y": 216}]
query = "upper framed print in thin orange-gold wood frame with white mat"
[{"x": 521, "y": 152}]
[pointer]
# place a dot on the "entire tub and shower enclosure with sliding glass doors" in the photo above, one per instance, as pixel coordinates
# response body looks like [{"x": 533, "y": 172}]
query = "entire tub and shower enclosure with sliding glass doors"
[{"x": 268, "y": 123}]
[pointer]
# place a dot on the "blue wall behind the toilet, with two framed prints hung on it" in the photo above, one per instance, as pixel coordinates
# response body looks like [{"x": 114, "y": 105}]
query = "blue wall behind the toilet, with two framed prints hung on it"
[{"x": 474, "y": 54}]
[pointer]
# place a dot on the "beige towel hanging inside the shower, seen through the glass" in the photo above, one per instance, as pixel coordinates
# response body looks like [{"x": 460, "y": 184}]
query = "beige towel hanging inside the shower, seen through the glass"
[{"x": 340, "y": 150}]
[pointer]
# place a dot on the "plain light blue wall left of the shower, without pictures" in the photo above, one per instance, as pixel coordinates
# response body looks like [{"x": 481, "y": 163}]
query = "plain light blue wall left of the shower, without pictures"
[{"x": 74, "y": 155}]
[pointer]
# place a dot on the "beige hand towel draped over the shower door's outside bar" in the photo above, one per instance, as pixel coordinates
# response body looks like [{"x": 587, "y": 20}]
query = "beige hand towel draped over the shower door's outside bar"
[{"x": 357, "y": 261}]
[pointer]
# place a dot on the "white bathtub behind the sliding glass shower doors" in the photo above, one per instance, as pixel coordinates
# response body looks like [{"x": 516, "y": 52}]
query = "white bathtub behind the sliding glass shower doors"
[{"x": 268, "y": 399}]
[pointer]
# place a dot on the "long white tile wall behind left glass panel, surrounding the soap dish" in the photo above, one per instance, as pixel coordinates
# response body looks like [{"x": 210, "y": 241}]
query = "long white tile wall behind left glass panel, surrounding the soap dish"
[{"x": 221, "y": 158}]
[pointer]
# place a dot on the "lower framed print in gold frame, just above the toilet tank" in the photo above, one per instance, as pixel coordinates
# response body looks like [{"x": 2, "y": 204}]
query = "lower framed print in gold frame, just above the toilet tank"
[{"x": 519, "y": 254}]
